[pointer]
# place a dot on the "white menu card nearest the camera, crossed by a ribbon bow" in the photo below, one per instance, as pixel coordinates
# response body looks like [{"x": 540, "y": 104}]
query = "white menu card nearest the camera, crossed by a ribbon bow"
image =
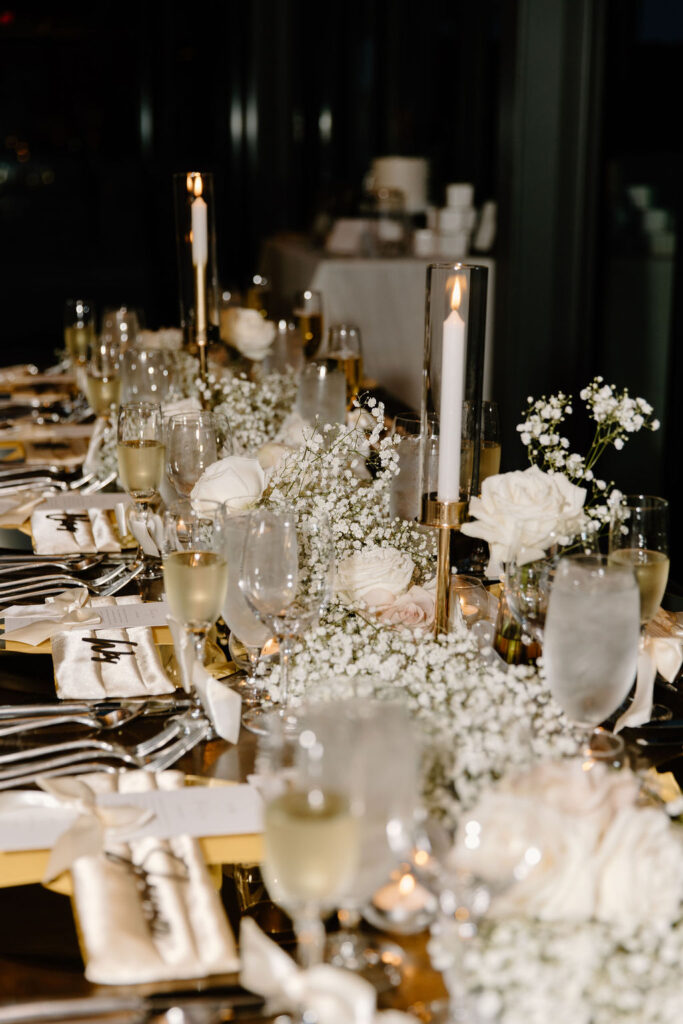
[{"x": 198, "y": 812}]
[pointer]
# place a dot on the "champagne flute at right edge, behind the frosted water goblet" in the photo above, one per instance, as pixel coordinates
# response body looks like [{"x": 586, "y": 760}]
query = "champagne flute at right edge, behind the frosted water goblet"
[{"x": 638, "y": 539}]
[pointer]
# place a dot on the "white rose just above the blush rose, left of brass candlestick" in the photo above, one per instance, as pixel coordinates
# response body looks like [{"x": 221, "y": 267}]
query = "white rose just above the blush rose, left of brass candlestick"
[{"x": 374, "y": 576}]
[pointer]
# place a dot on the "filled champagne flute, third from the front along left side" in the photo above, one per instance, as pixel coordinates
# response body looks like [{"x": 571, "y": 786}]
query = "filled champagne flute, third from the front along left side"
[{"x": 142, "y": 461}]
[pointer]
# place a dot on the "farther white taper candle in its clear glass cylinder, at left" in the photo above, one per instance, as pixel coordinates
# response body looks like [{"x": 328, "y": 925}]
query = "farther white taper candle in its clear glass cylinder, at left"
[{"x": 198, "y": 278}]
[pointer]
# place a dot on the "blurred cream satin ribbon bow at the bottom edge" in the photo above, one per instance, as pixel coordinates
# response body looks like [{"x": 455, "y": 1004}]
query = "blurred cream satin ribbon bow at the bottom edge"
[{"x": 329, "y": 994}]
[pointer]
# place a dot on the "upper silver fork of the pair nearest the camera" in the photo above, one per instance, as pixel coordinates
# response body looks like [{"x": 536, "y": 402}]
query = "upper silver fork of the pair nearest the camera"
[{"x": 84, "y": 760}]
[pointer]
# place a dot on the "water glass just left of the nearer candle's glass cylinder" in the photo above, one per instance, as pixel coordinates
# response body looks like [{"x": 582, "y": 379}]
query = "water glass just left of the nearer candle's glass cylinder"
[{"x": 407, "y": 487}]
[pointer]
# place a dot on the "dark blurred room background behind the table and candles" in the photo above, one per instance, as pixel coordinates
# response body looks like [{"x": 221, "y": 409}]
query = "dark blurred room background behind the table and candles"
[{"x": 565, "y": 112}]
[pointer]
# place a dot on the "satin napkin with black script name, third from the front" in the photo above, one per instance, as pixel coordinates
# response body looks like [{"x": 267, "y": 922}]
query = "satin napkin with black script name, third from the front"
[{"x": 62, "y": 532}]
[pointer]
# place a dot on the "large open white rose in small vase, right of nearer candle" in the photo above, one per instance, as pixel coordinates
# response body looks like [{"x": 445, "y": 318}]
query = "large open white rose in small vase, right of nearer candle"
[{"x": 524, "y": 513}]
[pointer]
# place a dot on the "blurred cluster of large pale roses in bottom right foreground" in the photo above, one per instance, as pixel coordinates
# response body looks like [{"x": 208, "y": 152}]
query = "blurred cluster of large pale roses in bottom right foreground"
[{"x": 561, "y": 843}]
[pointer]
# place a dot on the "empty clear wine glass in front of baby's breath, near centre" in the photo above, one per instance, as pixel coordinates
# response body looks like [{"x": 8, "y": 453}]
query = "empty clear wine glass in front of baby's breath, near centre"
[{"x": 286, "y": 577}]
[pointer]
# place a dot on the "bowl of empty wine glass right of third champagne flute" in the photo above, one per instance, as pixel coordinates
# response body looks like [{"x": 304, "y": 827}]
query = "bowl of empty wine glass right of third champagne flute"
[{"x": 195, "y": 442}]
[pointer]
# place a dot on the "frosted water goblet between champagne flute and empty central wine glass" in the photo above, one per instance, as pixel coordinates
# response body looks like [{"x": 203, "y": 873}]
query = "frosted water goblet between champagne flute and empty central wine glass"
[{"x": 238, "y": 614}]
